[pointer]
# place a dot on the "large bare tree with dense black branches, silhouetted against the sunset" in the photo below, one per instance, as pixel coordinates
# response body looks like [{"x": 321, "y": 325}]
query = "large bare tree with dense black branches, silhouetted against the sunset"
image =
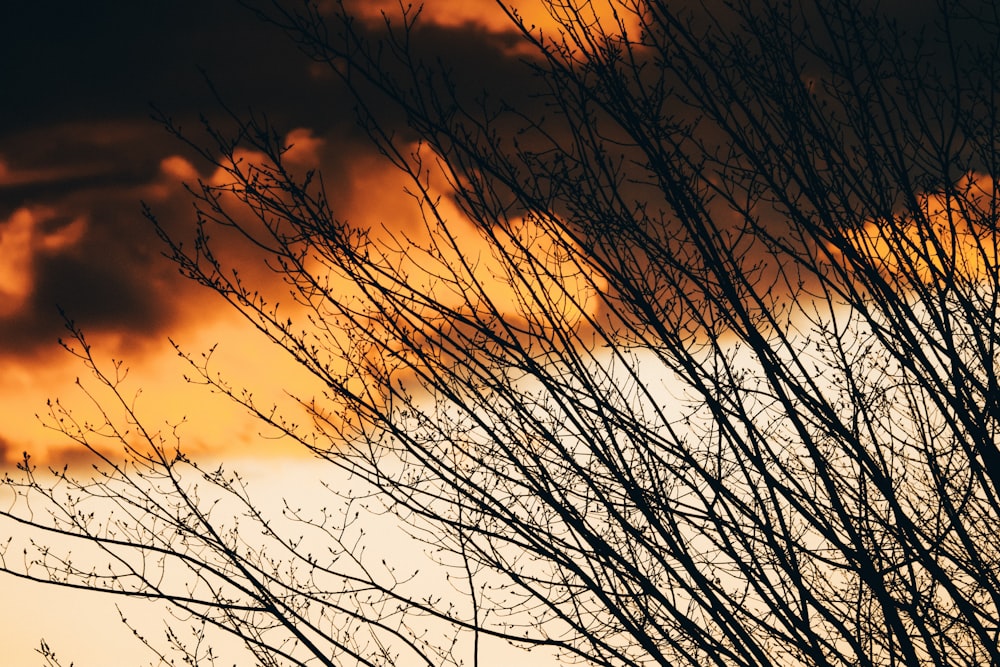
[{"x": 719, "y": 385}]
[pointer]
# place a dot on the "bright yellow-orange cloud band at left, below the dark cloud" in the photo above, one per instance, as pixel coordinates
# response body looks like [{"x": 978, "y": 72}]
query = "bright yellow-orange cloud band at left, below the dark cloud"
[{"x": 209, "y": 425}]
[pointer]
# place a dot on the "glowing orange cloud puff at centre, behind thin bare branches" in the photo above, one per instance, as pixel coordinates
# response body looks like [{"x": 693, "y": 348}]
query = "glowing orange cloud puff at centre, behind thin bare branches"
[{"x": 498, "y": 266}]
